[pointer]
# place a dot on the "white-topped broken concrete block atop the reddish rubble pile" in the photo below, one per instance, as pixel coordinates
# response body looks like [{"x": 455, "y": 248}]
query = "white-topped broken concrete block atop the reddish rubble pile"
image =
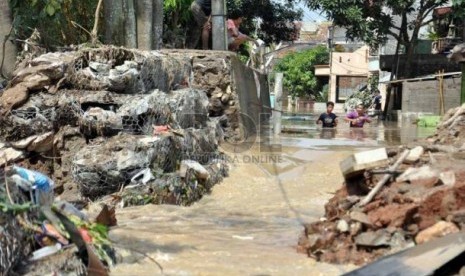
[{"x": 361, "y": 161}]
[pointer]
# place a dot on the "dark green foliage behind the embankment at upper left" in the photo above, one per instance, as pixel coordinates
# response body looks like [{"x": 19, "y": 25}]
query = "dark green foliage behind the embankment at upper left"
[{"x": 54, "y": 20}]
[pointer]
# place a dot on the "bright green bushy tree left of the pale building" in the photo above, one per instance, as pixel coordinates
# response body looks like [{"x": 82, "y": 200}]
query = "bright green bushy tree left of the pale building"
[{"x": 299, "y": 71}]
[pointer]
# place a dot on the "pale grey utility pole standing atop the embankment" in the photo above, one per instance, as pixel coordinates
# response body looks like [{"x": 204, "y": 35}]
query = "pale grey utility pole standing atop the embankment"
[{"x": 219, "y": 25}]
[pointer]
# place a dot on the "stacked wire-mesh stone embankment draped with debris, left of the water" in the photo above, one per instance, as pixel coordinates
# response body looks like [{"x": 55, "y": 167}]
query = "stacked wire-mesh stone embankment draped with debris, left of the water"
[{"x": 90, "y": 119}]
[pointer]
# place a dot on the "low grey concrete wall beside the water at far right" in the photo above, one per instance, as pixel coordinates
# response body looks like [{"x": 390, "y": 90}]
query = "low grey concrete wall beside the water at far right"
[{"x": 423, "y": 96}]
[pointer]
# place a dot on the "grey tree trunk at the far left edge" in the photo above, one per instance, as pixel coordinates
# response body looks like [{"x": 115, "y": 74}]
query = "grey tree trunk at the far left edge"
[{"x": 7, "y": 49}]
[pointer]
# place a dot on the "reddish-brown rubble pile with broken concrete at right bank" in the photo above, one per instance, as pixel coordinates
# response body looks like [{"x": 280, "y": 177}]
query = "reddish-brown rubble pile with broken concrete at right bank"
[{"x": 394, "y": 199}]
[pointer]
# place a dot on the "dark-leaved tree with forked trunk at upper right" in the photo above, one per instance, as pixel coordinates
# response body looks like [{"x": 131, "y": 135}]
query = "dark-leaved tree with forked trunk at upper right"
[{"x": 373, "y": 21}]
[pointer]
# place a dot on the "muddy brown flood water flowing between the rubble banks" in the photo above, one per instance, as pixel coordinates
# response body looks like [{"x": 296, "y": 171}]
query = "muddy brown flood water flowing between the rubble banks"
[{"x": 249, "y": 224}]
